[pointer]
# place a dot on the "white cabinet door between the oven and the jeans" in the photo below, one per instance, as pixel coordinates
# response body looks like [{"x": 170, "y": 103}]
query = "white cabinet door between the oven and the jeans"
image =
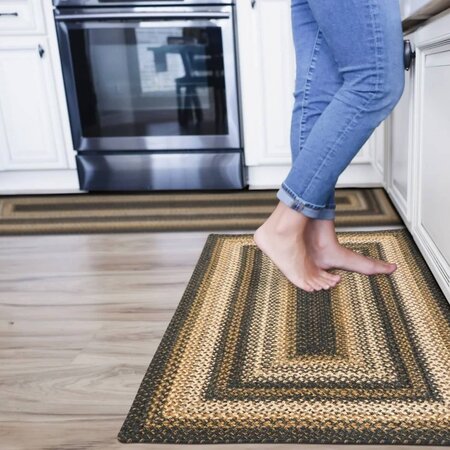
[{"x": 267, "y": 74}]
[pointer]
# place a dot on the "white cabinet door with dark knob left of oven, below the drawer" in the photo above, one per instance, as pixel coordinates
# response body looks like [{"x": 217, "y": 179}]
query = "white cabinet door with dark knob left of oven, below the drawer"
[{"x": 30, "y": 130}]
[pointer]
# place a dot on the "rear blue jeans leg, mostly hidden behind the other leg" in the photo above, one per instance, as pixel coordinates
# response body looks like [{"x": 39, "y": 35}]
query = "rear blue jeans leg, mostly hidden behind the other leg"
[{"x": 311, "y": 97}]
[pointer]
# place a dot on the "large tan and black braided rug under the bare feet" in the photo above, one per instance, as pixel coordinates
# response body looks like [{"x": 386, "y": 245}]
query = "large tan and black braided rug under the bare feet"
[{"x": 249, "y": 358}]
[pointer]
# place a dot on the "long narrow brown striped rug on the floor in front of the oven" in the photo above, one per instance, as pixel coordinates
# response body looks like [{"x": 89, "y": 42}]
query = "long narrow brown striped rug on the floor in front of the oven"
[{"x": 173, "y": 211}]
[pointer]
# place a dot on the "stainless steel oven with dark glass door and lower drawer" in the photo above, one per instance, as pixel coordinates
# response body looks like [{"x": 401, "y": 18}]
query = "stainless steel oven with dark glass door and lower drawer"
[{"x": 152, "y": 93}]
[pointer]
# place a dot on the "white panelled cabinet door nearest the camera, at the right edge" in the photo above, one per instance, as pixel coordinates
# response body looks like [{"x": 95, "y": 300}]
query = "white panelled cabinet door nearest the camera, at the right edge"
[{"x": 431, "y": 146}]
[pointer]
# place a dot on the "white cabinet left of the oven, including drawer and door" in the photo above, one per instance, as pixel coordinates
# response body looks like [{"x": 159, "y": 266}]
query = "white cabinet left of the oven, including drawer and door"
[{"x": 36, "y": 152}]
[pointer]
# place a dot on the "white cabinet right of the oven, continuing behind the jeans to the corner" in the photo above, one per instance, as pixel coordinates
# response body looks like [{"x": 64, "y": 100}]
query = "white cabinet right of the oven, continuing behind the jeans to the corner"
[{"x": 267, "y": 77}]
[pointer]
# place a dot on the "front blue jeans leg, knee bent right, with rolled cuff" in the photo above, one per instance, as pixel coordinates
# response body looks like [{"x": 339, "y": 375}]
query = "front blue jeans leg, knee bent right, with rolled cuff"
[{"x": 366, "y": 41}]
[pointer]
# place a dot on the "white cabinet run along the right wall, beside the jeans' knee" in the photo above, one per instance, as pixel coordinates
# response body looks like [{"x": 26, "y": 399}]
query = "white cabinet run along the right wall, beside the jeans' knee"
[{"x": 418, "y": 147}]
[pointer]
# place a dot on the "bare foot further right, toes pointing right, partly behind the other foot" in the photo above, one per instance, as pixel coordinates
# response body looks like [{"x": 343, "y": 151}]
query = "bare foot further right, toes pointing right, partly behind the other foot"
[{"x": 326, "y": 252}]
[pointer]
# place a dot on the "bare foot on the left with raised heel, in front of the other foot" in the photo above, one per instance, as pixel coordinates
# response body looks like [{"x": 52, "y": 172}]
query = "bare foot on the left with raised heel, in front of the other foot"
[{"x": 281, "y": 238}]
